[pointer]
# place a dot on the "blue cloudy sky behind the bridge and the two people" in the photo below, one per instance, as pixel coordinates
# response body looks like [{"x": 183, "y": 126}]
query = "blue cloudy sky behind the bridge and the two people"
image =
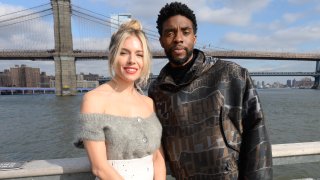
[{"x": 249, "y": 25}]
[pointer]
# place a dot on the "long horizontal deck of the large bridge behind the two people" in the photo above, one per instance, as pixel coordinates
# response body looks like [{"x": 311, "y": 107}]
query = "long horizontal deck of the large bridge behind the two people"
[{"x": 38, "y": 55}]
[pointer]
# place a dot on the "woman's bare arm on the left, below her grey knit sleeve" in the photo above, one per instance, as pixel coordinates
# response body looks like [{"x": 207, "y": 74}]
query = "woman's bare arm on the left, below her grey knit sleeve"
[{"x": 97, "y": 154}]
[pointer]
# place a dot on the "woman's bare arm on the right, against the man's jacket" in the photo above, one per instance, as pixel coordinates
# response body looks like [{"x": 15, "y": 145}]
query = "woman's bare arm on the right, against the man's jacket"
[{"x": 159, "y": 165}]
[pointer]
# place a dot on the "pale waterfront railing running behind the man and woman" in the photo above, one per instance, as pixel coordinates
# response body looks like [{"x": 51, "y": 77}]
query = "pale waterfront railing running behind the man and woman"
[{"x": 79, "y": 168}]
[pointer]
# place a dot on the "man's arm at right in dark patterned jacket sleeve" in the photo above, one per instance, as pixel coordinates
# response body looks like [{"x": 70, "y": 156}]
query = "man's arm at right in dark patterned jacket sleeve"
[{"x": 255, "y": 153}]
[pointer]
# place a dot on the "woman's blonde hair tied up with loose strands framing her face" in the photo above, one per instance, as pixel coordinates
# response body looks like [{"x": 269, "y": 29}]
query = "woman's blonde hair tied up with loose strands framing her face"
[{"x": 131, "y": 28}]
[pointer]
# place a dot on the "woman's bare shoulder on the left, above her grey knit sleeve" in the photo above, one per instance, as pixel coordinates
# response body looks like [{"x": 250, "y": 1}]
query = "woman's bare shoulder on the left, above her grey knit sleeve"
[{"x": 94, "y": 101}]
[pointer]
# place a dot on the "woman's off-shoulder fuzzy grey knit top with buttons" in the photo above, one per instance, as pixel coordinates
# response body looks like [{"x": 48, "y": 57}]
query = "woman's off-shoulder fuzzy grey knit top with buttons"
[{"x": 126, "y": 137}]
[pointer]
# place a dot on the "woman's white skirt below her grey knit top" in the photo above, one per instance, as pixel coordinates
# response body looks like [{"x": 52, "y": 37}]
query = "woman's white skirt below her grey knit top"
[{"x": 134, "y": 169}]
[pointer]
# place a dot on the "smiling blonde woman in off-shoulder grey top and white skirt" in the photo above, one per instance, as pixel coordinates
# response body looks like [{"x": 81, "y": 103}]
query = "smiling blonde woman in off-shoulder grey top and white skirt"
[{"x": 118, "y": 125}]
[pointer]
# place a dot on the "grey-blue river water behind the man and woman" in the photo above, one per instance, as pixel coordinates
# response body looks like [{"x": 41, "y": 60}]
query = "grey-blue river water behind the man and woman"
[{"x": 40, "y": 126}]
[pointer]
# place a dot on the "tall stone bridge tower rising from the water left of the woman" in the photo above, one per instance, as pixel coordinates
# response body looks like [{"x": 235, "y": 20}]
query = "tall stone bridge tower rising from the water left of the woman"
[{"x": 65, "y": 68}]
